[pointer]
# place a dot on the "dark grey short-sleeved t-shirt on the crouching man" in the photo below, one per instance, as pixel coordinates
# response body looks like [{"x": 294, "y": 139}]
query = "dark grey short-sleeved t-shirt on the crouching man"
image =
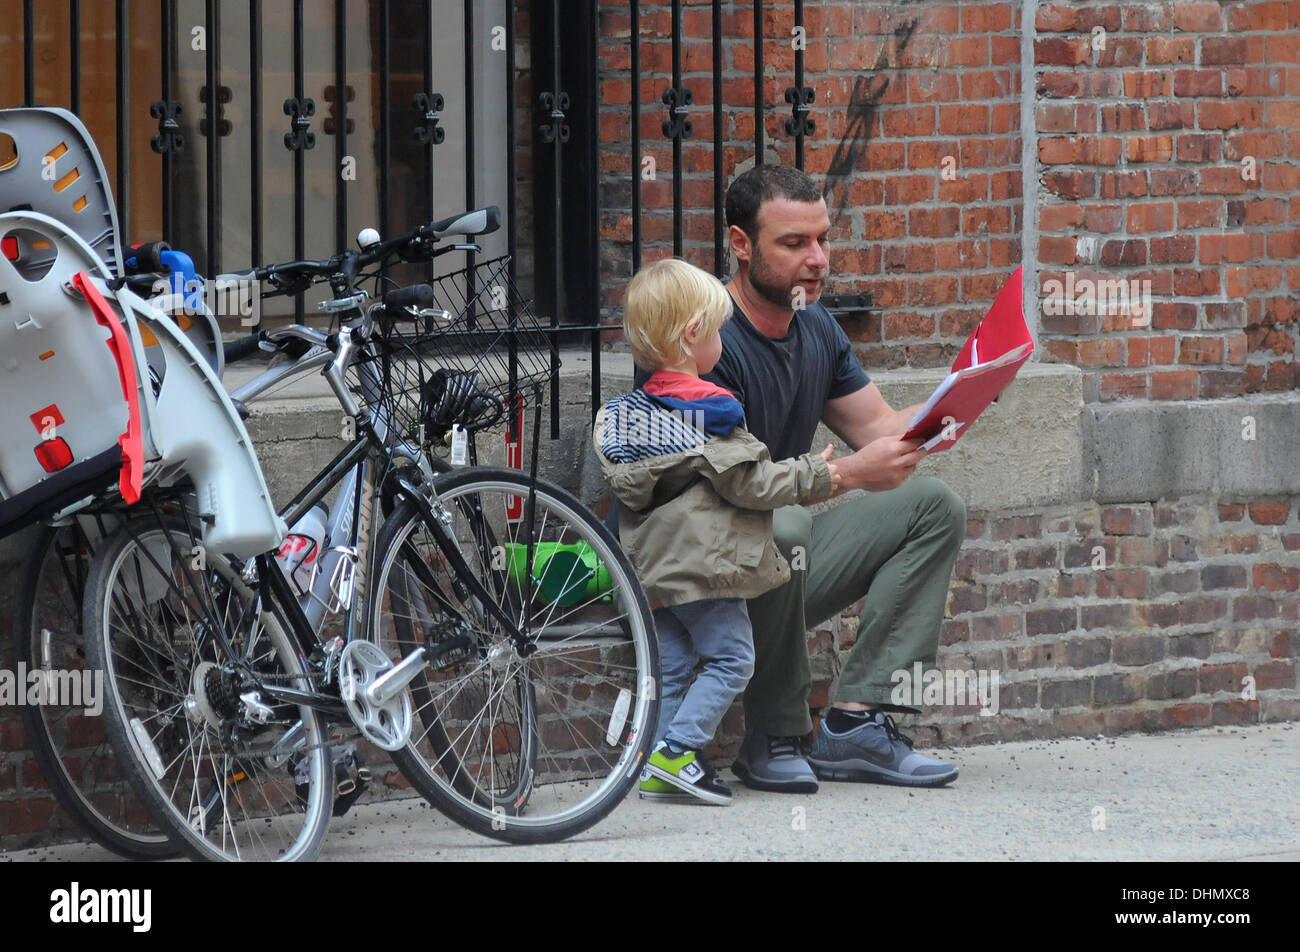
[{"x": 785, "y": 383}]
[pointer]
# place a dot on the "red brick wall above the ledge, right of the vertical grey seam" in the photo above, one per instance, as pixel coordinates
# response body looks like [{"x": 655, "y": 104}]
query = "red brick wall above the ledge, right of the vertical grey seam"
[{"x": 1172, "y": 157}]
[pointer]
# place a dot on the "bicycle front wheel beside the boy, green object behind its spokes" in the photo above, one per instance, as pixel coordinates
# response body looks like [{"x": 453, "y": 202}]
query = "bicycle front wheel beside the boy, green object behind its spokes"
[{"x": 534, "y": 746}]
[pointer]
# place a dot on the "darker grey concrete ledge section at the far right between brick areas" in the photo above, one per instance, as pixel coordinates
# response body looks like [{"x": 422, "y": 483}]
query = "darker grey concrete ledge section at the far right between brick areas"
[{"x": 1149, "y": 452}]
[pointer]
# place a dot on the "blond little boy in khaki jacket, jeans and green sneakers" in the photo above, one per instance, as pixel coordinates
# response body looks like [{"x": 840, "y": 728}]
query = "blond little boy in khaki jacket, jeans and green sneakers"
[{"x": 696, "y": 496}]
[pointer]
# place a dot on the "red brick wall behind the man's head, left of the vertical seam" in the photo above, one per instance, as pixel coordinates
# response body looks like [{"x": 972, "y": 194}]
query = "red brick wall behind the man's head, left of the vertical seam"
[{"x": 900, "y": 89}]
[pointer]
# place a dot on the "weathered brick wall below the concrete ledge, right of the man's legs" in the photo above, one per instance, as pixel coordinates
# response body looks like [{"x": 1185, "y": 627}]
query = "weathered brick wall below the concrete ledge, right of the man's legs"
[{"x": 1195, "y": 596}]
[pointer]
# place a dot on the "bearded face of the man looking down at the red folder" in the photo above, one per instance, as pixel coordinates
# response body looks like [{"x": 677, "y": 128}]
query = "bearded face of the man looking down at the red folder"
[{"x": 791, "y": 253}]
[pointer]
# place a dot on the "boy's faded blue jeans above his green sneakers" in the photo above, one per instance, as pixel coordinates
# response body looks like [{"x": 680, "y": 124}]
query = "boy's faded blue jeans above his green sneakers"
[{"x": 717, "y": 631}]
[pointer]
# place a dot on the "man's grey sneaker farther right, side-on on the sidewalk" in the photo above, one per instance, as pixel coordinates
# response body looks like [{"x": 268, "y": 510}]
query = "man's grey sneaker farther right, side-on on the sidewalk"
[{"x": 876, "y": 754}]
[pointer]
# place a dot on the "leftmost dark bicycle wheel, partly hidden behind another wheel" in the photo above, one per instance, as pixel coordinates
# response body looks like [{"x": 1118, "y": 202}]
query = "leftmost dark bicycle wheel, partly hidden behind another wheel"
[{"x": 70, "y": 743}]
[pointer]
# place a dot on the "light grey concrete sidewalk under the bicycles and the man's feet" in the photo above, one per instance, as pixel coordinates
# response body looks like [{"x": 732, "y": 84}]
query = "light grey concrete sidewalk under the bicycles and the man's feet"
[{"x": 1219, "y": 794}]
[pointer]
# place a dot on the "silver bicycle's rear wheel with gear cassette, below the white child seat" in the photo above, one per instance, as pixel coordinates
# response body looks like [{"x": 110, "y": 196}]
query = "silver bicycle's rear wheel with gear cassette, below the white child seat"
[{"x": 185, "y": 650}]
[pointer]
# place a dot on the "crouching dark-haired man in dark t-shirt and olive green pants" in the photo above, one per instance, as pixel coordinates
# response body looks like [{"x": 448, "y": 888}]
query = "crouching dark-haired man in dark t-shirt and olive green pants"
[{"x": 791, "y": 366}]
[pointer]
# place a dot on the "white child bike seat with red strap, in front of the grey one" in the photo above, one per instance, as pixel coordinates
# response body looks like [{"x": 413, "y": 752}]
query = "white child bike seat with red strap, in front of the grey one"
[{"x": 72, "y": 366}]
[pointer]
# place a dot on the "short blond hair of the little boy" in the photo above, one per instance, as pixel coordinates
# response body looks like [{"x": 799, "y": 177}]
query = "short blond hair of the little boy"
[{"x": 666, "y": 298}]
